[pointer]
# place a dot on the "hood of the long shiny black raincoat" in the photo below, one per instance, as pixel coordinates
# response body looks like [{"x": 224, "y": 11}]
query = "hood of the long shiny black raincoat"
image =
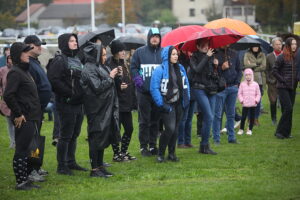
[{"x": 93, "y": 52}]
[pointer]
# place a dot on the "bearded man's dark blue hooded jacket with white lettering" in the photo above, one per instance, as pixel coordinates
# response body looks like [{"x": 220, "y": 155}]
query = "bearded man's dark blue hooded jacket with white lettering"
[{"x": 144, "y": 60}]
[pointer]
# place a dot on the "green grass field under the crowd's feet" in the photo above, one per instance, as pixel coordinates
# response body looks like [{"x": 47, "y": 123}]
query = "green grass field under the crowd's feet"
[{"x": 261, "y": 167}]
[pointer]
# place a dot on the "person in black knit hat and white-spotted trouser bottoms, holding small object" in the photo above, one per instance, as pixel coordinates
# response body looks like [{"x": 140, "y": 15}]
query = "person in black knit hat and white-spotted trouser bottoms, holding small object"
[{"x": 125, "y": 94}]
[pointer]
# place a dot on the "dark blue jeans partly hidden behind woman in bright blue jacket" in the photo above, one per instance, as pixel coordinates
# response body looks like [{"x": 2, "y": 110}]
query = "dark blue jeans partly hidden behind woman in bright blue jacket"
[{"x": 185, "y": 126}]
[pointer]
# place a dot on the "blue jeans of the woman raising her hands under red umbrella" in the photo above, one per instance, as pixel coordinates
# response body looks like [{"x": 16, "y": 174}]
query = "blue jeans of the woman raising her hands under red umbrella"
[{"x": 207, "y": 104}]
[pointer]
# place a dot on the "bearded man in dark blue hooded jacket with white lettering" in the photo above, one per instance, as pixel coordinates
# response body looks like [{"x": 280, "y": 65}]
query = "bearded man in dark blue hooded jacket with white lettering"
[{"x": 144, "y": 60}]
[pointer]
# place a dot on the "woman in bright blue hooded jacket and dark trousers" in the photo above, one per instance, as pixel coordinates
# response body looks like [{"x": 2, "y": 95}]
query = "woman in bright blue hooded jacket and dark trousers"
[{"x": 170, "y": 91}]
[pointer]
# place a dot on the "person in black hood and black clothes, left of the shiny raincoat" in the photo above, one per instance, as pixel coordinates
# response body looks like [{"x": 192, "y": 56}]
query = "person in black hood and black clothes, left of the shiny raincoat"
[{"x": 64, "y": 74}]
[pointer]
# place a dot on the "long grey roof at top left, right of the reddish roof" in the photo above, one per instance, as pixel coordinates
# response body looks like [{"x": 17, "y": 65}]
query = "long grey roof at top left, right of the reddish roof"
[{"x": 59, "y": 11}]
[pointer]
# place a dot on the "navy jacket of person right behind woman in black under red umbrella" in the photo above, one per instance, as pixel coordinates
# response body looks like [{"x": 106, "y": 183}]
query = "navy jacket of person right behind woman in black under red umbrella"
[{"x": 233, "y": 75}]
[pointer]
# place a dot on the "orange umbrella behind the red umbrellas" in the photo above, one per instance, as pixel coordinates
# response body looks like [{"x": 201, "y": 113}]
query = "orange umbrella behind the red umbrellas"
[{"x": 234, "y": 24}]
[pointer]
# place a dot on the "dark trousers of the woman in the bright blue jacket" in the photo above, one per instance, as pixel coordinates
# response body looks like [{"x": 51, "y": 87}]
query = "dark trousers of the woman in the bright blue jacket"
[{"x": 169, "y": 136}]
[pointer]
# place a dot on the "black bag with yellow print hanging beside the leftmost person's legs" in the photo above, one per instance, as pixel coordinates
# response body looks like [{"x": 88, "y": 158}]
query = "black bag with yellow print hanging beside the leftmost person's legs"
[{"x": 36, "y": 148}]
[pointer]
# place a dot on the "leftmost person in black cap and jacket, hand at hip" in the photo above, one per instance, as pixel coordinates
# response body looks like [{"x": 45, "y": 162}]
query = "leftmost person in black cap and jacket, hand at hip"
[{"x": 22, "y": 99}]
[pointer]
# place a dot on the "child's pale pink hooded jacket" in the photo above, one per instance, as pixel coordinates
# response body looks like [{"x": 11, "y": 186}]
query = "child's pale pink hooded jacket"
[{"x": 249, "y": 92}]
